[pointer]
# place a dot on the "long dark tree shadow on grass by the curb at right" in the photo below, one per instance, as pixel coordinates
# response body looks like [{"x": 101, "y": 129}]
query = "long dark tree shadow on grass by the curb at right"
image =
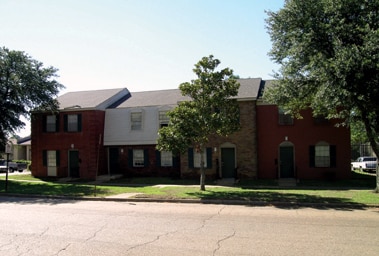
[{"x": 280, "y": 200}]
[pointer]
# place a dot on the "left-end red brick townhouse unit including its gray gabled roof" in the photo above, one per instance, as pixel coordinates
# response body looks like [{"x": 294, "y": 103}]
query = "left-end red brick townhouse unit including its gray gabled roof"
[{"x": 69, "y": 143}]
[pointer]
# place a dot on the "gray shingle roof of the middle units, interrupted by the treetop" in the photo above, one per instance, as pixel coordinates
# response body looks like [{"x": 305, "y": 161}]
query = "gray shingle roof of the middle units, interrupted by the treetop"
[{"x": 248, "y": 90}]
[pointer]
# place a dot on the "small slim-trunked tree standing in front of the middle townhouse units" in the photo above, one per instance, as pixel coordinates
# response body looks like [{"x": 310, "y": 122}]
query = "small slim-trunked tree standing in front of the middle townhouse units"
[{"x": 211, "y": 110}]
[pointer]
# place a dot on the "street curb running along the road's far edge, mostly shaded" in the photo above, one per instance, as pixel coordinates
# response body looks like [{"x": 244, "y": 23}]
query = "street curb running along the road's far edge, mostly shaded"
[{"x": 291, "y": 204}]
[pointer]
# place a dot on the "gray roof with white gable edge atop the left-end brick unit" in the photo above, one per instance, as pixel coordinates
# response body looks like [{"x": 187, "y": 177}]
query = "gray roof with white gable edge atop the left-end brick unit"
[{"x": 97, "y": 99}]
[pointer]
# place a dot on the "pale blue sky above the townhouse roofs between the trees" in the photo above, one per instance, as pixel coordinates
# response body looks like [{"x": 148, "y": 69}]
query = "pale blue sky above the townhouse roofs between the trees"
[{"x": 138, "y": 44}]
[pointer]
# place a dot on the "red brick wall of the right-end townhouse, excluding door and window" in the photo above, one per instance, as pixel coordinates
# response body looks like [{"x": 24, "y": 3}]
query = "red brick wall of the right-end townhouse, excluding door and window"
[{"x": 303, "y": 133}]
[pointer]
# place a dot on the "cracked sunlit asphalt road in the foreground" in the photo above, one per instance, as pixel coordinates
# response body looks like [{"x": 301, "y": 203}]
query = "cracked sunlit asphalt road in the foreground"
[{"x": 61, "y": 227}]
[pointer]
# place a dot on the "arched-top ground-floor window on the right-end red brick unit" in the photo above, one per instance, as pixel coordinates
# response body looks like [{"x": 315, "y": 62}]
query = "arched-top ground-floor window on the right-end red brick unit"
[{"x": 322, "y": 155}]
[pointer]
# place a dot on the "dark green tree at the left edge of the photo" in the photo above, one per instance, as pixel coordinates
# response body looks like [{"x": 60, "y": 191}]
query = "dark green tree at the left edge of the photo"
[{"x": 24, "y": 85}]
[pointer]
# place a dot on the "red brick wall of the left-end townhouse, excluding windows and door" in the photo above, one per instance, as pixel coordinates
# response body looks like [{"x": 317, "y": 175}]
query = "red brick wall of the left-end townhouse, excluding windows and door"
[{"x": 86, "y": 142}]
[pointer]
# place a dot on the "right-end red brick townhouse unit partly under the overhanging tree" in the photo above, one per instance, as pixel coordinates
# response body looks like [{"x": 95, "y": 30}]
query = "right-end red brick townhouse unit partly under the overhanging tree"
[{"x": 307, "y": 148}]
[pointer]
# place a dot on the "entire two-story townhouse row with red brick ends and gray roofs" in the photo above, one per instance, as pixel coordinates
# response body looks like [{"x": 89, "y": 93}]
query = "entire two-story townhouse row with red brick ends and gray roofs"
[{"x": 114, "y": 132}]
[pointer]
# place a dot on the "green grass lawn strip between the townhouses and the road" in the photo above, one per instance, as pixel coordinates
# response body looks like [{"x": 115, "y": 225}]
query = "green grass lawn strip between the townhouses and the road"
[{"x": 357, "y": 191}]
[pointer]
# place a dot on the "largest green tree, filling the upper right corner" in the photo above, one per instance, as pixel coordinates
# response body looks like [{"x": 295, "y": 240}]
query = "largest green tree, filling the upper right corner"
[{"x": 329, "y": 56}]
